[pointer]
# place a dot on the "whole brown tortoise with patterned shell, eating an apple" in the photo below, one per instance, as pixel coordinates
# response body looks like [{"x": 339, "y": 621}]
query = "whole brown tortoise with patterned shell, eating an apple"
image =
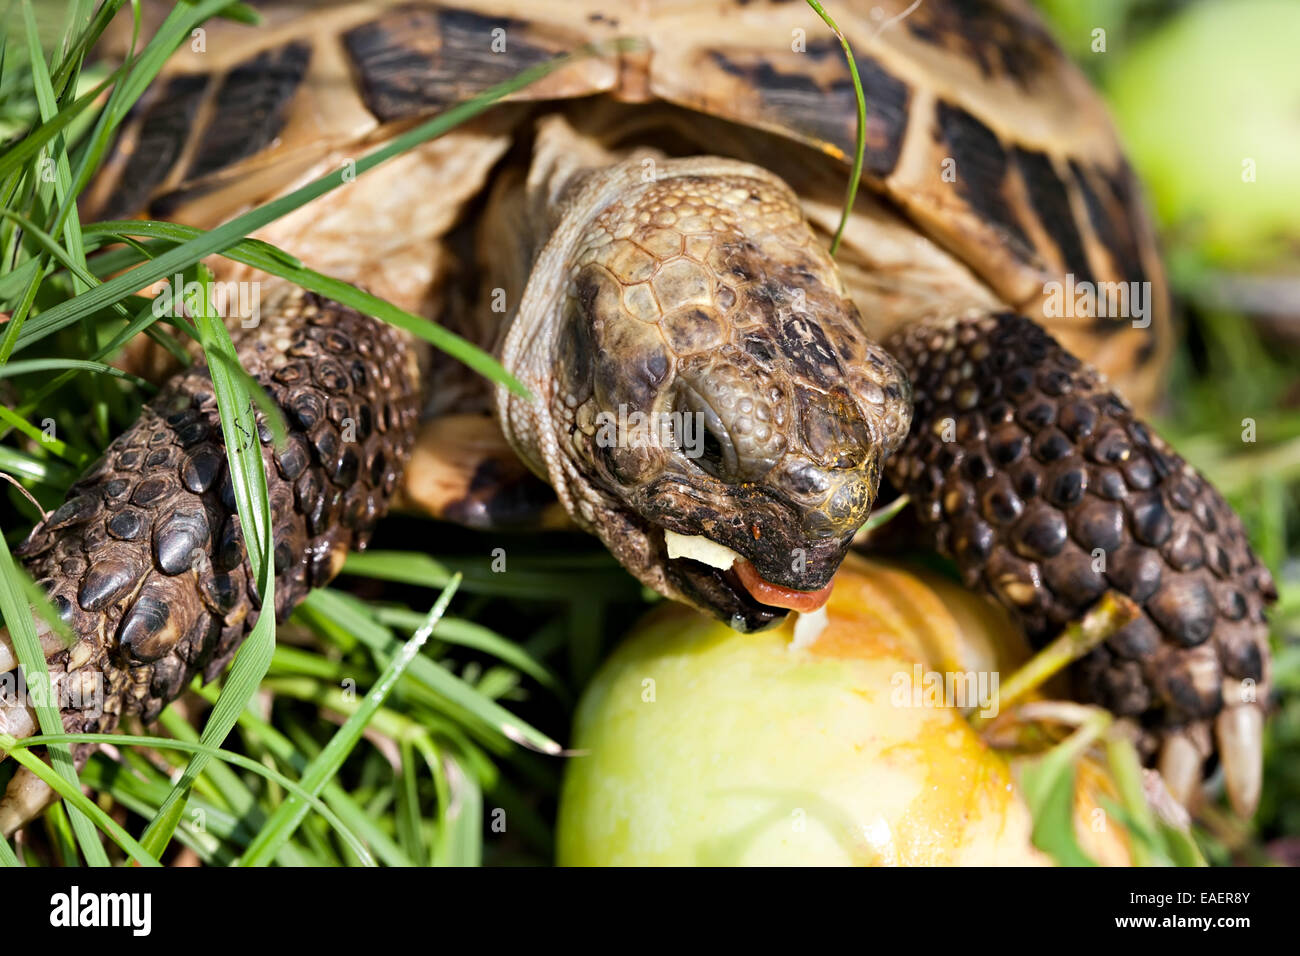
[{"x": 644, "y": 237}]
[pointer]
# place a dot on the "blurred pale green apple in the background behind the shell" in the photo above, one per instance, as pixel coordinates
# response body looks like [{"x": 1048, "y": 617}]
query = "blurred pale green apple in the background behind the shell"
[{"x": 1210, "y": 107}]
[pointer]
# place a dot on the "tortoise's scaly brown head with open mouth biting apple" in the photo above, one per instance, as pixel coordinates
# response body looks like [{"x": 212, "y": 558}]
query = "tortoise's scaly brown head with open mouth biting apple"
[{"x": 713, "y": 380}]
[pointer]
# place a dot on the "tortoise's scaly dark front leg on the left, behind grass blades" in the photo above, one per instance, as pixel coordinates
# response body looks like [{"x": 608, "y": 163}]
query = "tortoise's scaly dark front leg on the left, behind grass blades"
[{"x": 146, "y": 563}]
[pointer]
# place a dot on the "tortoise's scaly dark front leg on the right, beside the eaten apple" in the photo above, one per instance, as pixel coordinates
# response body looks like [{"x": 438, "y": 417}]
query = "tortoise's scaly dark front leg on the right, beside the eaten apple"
[{"x": 1046, "y": 490}]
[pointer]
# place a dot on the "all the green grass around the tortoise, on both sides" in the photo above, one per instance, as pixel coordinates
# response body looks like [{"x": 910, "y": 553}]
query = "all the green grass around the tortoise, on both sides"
[{"x": 413, "y": 712}]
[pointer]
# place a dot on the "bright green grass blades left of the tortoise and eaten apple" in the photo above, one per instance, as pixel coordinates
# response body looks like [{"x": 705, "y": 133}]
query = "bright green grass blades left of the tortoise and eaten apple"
[{"x": 447, "y": 717}]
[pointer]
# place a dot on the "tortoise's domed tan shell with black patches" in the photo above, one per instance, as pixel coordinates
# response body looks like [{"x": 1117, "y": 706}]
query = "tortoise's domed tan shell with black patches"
[{"x": 981, "y": 133}]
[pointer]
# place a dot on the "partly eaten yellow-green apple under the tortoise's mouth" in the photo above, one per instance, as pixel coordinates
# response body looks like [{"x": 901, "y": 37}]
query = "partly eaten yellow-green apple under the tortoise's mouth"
[{"x": 701, "y": 746}]
